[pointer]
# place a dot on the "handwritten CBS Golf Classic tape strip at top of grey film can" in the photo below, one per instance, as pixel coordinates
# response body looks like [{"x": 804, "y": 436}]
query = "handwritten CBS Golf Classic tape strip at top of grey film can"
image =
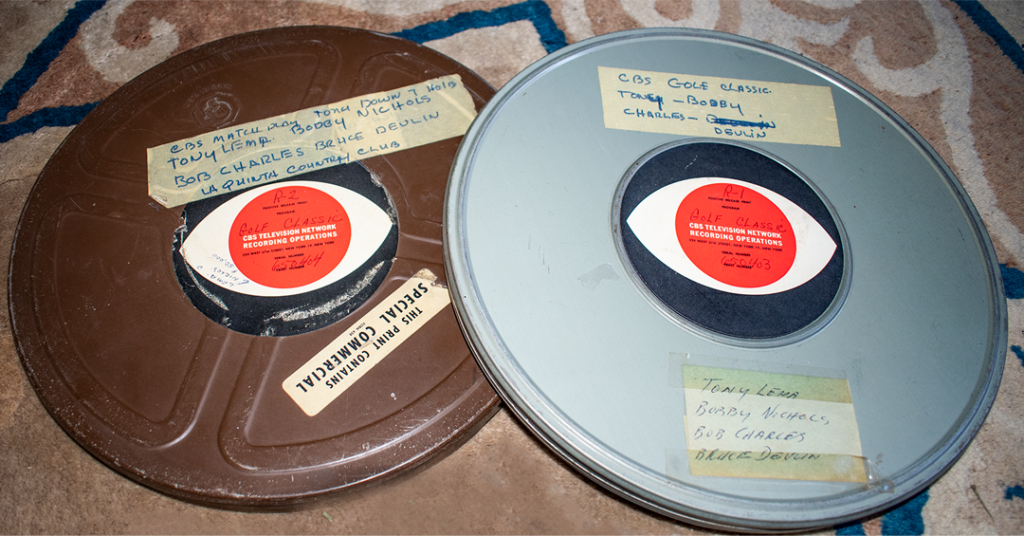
[{"x": 724, "y": 108}]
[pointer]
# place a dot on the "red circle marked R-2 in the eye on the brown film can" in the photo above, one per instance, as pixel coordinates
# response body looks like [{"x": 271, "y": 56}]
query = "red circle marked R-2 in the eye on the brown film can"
[{"x": 290, "y": 237}]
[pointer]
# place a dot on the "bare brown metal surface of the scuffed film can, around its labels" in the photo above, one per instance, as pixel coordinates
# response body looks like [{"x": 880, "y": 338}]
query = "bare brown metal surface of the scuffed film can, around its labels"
[{"x": 151, "y": 387}]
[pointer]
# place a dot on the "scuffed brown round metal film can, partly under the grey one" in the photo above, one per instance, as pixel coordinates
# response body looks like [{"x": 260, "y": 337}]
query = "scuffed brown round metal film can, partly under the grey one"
[{"x": 271, "y": 345}]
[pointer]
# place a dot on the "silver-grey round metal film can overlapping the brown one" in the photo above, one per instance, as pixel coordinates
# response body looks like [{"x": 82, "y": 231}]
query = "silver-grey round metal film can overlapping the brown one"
[{"x": 723, "y": 281}]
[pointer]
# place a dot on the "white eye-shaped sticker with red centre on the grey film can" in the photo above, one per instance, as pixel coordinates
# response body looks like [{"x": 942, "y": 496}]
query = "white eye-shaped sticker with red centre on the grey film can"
[{"x": 732, "y": 236}]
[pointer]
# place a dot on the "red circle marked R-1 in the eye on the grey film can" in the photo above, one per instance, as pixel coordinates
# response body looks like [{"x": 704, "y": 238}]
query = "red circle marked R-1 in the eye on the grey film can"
[{"x": 736, "y": 235}]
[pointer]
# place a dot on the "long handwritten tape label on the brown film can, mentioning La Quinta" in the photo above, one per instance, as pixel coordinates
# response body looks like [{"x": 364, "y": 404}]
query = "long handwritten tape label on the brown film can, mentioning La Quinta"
[{"x": 261, "y": 152}]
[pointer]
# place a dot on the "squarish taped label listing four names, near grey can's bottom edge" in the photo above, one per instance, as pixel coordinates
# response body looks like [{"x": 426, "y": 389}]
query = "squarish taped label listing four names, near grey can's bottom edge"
[{"x": 767, "y": 426}]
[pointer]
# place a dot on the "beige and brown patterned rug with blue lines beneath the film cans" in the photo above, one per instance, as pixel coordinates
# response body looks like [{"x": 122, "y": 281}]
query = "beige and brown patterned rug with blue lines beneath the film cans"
[{"x": 955, "y": 70}]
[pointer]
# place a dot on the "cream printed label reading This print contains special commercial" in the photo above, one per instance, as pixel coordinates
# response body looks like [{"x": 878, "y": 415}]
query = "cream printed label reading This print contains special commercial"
[{"x": 351, "y": 356}]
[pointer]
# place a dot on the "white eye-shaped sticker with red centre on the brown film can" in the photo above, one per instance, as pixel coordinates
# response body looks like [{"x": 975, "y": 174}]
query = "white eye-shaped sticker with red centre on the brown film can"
[{"x": 286, "y": 239}]
